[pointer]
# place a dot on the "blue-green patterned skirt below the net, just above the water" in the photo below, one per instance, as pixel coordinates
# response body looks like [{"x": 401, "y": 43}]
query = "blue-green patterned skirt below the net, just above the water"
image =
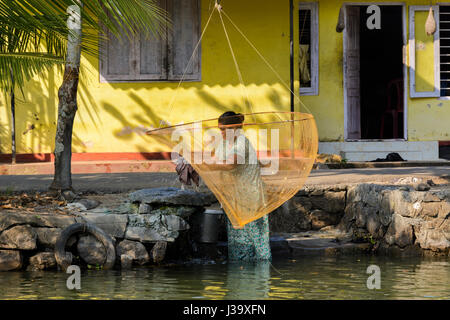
[{"x": 252, "y": 243}]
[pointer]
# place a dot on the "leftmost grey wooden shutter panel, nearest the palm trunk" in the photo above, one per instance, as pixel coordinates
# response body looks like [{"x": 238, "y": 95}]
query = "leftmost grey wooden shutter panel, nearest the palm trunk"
[{"x": 116, "y": 58}]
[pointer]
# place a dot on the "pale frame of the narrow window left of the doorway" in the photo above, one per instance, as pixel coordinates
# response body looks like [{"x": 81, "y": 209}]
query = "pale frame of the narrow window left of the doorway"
[{"x": 314, "y": 7}]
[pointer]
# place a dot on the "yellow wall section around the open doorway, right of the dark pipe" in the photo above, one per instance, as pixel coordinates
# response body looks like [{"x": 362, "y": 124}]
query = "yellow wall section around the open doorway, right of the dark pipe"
[{"x": 427, "y": 118}]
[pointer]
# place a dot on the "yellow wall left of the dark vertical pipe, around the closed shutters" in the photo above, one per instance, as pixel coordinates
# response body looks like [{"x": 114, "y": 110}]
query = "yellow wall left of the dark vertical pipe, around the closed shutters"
[{"x": 111, "y": 115}]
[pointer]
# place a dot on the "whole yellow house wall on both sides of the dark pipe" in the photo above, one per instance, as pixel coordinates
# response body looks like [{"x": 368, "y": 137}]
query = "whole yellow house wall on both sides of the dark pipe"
[{"x": 111, "y": 116}]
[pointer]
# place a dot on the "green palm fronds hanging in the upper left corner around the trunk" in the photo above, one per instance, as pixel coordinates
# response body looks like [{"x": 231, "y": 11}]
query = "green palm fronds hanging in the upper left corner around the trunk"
[{"x": 34, "y": 33}]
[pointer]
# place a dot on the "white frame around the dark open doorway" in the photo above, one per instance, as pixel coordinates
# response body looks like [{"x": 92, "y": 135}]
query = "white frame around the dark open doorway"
[{"x": 405, "y": 69}]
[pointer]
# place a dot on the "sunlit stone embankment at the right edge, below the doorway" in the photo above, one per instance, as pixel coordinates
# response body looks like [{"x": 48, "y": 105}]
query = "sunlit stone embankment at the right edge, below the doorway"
[{"x": 400, "y": 219}]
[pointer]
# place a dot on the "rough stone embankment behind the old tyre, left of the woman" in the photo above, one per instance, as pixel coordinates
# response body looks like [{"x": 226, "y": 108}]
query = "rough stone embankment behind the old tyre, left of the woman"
[{"x": 155, "y": 218}]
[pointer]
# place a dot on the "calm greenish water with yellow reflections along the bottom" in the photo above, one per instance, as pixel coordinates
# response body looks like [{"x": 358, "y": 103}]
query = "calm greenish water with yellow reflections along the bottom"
[{"x": 305, "y": 278}]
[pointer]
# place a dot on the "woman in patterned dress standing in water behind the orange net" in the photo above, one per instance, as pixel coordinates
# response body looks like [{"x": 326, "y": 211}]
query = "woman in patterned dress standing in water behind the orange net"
[{"x": 251, "y": 243}]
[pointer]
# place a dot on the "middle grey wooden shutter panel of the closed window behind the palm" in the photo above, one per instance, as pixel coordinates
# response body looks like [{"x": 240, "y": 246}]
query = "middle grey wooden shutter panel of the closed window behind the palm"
[{"x": 151, "y": 55}]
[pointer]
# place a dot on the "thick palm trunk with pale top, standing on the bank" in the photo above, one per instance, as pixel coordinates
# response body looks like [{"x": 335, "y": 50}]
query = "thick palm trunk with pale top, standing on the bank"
[{"x": 67, "y": 106}]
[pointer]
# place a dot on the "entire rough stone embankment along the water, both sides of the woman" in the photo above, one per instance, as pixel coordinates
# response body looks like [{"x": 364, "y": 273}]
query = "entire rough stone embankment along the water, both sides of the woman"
[{"x": 391, "y": 218}]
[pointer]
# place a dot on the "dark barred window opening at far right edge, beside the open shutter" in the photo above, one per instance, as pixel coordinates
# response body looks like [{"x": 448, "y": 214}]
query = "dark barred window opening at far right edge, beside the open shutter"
[{"x": 444, "y": 35}]
